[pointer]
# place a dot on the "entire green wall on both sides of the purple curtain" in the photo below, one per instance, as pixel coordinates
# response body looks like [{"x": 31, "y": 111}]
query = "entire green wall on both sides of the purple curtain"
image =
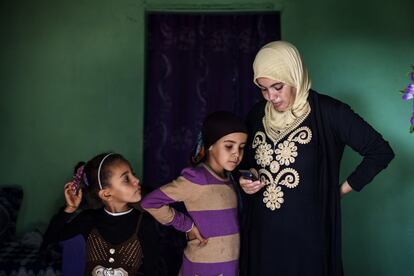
[{"x": 71, "y": 85}]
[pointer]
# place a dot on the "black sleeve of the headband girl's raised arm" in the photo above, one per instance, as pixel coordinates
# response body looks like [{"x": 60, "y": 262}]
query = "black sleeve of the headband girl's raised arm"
[{"x": 64, "y": 226}]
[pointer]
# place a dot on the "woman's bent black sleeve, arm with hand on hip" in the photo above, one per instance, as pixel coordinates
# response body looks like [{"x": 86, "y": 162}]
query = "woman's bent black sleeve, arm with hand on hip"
[{"x": 364, "y": 139}]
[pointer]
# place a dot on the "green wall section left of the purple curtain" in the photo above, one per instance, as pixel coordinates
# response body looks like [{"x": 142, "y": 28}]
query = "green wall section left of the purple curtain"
[{"x": 71, "y": 87}]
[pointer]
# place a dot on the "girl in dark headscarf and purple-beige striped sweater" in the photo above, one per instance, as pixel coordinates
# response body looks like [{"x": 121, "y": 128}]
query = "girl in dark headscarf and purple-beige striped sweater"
[{"x": 212, "y": 225}]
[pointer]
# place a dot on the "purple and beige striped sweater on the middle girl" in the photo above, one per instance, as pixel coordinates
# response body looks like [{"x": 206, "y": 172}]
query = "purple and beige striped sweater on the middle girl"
[{"x": 212, "y": 206}]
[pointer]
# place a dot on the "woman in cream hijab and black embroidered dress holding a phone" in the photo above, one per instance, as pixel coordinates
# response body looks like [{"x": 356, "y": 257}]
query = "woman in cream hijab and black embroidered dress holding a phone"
[{"x": 296, "y": 140}]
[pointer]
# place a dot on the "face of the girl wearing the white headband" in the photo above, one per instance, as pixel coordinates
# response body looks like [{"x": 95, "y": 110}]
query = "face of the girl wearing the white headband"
[{"x": 124, "y": 186}]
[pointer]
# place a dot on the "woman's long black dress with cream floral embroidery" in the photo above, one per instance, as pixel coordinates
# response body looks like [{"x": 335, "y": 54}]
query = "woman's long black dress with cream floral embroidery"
[{"x": 292, "y": 226}]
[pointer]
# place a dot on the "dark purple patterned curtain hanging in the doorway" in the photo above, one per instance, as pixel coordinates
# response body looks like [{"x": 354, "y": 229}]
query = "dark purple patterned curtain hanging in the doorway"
[{"x": 196, "y": 64}]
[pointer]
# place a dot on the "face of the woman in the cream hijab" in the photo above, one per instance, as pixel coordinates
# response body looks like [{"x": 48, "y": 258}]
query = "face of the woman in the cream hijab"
[{"x": 281, "y": 95}]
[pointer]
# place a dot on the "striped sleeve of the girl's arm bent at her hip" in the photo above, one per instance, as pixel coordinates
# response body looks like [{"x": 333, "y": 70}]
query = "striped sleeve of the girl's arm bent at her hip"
[{"x": 157, "y": 204}]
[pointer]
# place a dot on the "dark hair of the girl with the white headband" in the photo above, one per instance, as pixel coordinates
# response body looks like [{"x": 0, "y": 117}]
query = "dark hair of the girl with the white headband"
[{"x": 90, "y": 175}]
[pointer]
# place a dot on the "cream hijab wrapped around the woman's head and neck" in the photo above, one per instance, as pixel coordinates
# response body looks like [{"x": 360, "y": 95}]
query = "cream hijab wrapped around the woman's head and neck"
[{"x": 281, "y": 61}]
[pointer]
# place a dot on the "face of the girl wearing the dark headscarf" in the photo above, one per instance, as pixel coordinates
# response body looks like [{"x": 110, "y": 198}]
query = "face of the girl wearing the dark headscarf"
[{"x": 227, "y": 152}]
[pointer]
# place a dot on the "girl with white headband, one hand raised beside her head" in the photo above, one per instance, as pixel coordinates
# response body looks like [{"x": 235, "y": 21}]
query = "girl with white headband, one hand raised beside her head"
[{"x": 117, "y": 236}]
